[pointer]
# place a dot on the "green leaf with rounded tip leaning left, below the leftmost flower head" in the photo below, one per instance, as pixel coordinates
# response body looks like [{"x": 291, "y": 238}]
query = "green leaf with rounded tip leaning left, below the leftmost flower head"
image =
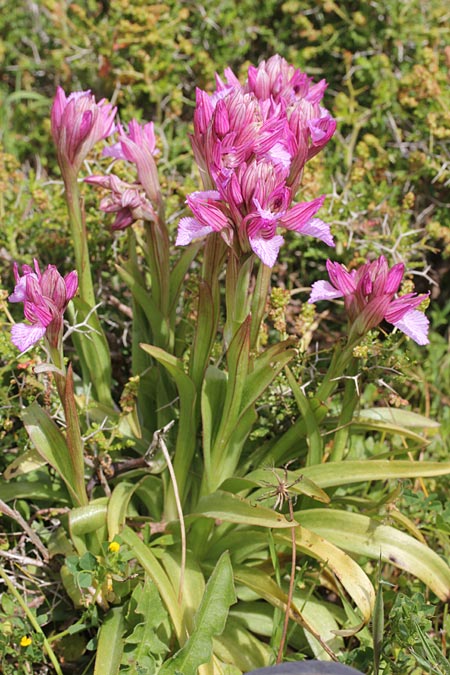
[{"x": 51, "y": 445}]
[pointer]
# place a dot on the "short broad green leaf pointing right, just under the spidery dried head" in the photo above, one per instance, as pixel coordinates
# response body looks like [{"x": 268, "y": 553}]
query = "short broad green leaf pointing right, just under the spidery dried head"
[{"x": 234, "y": 509}]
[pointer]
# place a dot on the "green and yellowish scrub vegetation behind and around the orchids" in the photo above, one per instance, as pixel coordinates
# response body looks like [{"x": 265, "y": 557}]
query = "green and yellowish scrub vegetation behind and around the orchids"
[{"x": 387, "y": 173}]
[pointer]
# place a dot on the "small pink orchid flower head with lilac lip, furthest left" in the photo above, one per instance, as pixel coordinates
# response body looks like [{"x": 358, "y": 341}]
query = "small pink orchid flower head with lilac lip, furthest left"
[{"x": 45, "y": 297}]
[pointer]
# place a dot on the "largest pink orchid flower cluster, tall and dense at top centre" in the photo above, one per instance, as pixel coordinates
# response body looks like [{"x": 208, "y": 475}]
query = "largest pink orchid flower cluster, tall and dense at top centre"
[{"x": 251, "y": 143}]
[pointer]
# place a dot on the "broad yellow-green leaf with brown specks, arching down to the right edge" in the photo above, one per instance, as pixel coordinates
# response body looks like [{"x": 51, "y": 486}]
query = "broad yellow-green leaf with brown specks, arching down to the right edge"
[{"x": 361, "y": 535}]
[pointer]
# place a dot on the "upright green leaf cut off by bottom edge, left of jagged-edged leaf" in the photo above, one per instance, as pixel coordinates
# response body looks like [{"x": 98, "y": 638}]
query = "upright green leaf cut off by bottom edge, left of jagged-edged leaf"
[{"x": 110, "y": 643}]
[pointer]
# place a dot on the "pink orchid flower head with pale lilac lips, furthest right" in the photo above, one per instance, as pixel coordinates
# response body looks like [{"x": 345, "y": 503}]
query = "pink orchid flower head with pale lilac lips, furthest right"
[{"x": 369, "y": 294}]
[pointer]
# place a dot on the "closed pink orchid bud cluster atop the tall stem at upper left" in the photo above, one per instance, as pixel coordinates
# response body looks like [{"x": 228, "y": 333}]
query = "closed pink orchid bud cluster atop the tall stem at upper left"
[{"x": 78, "y": 122}]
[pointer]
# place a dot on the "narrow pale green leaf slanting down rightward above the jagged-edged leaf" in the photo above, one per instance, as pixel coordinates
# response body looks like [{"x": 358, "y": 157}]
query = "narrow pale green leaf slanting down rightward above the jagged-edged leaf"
[{"x": 153, "y": 568}]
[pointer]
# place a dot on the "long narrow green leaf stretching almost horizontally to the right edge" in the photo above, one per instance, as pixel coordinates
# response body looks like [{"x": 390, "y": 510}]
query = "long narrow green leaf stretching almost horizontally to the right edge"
[{"x": 333, "y": 474}]
